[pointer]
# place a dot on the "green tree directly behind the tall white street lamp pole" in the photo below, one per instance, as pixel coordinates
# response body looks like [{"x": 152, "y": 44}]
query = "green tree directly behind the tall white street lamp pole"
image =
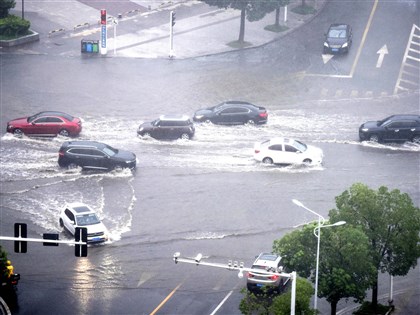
[{"x": 343, "y": 270}]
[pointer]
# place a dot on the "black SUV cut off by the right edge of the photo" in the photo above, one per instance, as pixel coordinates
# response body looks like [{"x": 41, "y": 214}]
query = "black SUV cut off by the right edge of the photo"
[{"x": 393, "y": 128}]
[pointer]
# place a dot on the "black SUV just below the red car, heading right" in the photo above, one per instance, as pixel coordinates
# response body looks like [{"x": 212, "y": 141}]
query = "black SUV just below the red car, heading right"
[{"x": 94, "y": 155}]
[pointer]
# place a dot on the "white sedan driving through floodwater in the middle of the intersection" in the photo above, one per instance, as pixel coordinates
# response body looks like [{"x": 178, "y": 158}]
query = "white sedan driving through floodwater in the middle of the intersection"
[{"x": 287, "y": 151}]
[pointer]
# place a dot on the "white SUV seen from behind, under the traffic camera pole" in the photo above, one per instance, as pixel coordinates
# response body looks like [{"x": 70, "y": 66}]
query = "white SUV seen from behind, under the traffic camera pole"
[{"x": 266, "y": 262}]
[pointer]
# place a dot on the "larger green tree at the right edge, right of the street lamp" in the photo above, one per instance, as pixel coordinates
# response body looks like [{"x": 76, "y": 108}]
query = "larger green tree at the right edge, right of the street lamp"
[{"x": 391, "y": 223}]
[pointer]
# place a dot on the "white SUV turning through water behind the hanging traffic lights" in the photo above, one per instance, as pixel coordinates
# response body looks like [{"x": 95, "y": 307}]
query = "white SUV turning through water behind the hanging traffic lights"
[{"x": 80, "y": 215}]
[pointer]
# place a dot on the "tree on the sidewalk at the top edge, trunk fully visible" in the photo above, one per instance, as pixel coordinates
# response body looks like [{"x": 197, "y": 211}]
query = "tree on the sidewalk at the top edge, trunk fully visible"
[{"x": 252, "y": 10}]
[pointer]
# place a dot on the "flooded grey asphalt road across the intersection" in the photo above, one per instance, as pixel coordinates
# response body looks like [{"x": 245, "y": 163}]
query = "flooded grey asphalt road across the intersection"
[{"x": 206, "y": 195}]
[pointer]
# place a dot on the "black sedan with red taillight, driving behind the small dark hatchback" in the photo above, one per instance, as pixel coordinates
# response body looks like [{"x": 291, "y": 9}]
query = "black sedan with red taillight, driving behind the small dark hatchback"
[{"x": 232, "y": 113}]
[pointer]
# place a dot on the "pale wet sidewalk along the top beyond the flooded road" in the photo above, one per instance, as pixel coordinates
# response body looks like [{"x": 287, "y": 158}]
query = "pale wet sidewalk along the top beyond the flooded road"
[{"x": 203, "y": 32}]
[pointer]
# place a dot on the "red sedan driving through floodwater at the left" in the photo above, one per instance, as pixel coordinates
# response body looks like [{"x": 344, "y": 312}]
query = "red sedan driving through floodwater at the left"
[{"x": 46, "y": 124}]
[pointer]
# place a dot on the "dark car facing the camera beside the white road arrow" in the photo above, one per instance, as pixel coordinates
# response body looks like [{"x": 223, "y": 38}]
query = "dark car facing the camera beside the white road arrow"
[{"x": 338, "y": 39}]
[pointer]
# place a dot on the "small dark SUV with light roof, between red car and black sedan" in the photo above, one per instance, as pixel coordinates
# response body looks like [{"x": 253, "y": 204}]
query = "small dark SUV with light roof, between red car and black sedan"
[{"x": 168, "y": 127}]
